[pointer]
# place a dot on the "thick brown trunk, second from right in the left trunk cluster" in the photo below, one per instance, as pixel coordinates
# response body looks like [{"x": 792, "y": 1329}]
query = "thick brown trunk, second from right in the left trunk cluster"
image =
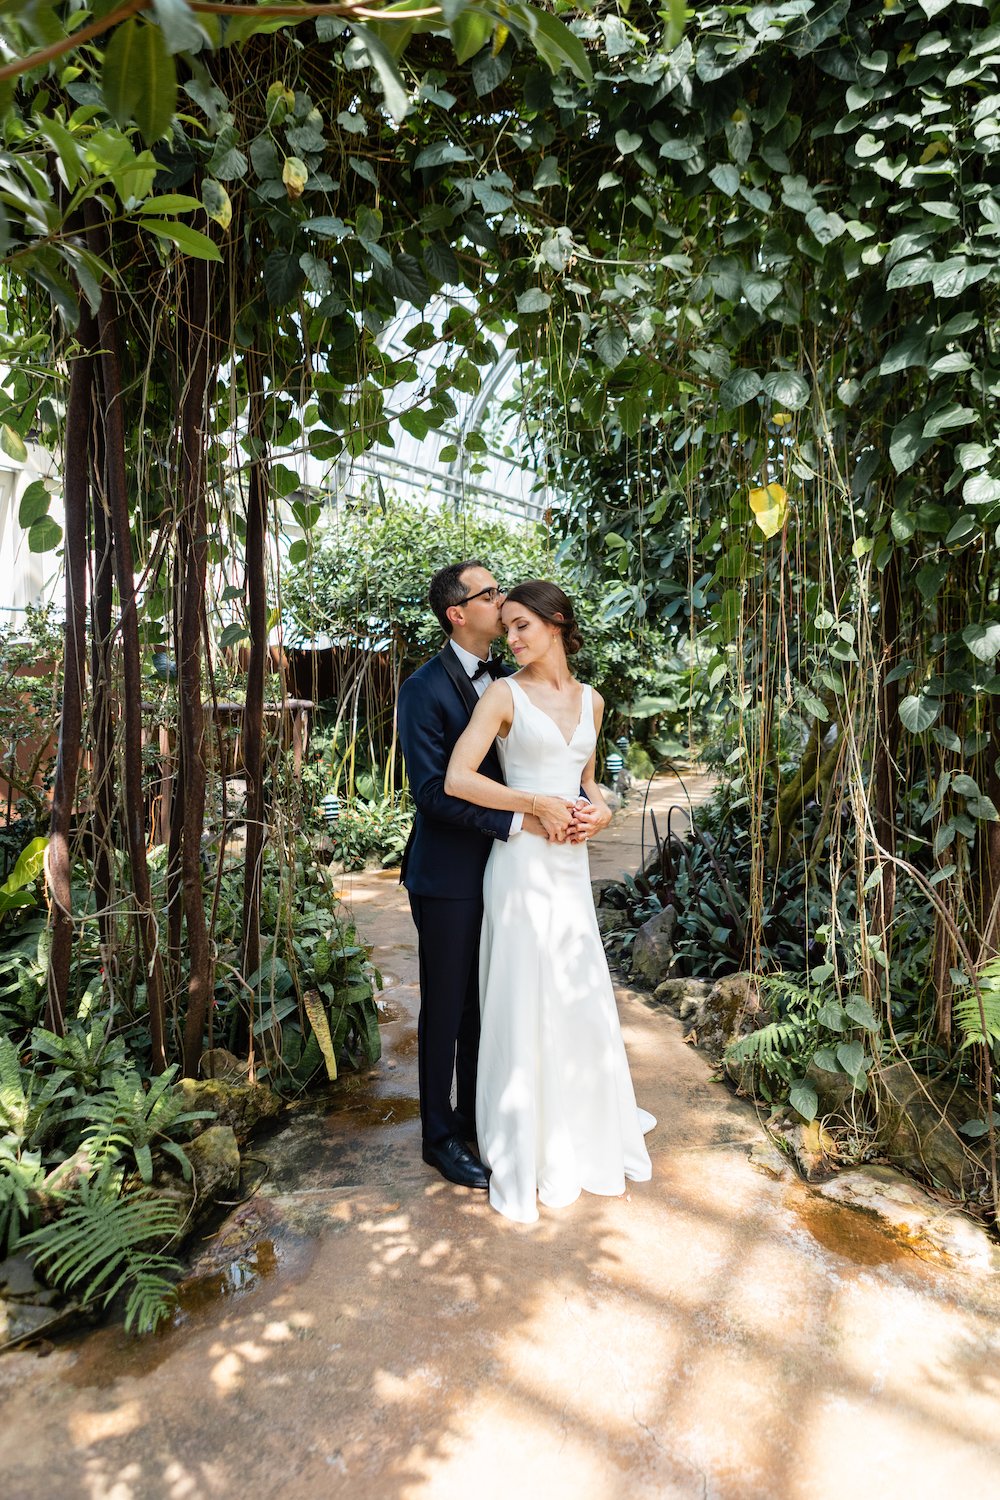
[{"x": 194, "y": 550}]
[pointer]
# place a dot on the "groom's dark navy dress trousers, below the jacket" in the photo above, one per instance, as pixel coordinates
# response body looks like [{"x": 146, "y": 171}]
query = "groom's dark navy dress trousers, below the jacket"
[{"x": 449, "y": 1027}]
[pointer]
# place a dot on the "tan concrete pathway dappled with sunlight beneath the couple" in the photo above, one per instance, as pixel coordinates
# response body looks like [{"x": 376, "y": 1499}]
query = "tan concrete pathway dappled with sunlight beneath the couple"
[{"x": 365, "y": 1330}]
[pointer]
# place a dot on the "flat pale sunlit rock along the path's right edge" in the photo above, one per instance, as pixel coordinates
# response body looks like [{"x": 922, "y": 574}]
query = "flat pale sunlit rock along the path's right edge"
[{"x": 914, "y": 1217}]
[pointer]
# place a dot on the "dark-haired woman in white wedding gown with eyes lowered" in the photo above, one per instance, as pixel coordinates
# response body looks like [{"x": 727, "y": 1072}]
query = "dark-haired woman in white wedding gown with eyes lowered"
[{"x": 555, "y": 1108}]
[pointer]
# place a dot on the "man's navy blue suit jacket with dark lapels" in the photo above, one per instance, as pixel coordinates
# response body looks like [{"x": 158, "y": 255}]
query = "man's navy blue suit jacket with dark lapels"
[{"x": 451, "y": 839}]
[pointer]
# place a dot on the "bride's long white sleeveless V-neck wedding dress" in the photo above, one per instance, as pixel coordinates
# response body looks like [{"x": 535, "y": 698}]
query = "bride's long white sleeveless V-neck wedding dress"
[{"x": 555, "y": 1108}]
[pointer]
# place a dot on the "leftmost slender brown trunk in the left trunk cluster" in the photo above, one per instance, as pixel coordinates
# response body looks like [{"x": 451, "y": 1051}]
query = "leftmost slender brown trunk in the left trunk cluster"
[{"x": 82, "y": 380}]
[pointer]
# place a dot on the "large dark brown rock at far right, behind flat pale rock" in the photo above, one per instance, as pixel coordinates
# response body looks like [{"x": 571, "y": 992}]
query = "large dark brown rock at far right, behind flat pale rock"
[{"x": 918, "y": 1129}]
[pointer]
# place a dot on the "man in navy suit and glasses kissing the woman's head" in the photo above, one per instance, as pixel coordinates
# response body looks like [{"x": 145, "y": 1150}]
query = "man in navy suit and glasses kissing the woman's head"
[{"x": 446, "y": 857}]
